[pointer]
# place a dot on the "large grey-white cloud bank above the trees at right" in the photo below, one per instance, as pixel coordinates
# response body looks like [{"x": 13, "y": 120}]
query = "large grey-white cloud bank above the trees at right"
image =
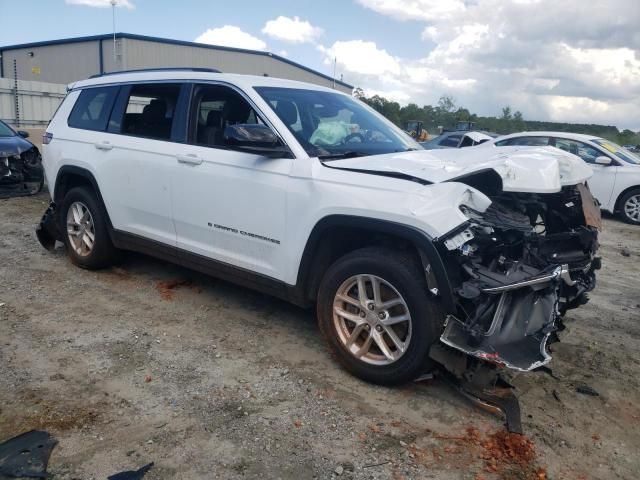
[{"x": 549, "y": 59}]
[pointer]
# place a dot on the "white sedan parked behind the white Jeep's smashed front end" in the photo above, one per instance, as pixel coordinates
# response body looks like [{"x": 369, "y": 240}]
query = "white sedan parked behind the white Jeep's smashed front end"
[{"x": 616, "y": 170}]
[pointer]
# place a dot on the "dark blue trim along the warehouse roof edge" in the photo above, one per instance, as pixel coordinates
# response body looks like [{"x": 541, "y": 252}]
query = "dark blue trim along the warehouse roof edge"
[{"x": 168, "y": 41}]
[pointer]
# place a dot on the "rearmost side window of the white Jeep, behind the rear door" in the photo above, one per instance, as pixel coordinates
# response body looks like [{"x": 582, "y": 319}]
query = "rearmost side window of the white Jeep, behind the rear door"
[{"x": 92, "y": 108}]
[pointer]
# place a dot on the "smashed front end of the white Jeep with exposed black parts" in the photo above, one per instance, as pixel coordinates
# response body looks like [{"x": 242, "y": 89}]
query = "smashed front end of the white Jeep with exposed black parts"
[{"x": 515, "y": 269}]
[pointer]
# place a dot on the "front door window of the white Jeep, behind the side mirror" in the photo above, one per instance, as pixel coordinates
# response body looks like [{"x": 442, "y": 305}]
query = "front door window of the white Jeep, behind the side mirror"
[{"x": 213, "y": 108}]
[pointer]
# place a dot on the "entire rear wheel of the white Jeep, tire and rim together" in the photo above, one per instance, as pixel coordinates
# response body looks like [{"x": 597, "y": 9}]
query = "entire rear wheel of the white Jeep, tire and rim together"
[{"x": 101, "y": 253}]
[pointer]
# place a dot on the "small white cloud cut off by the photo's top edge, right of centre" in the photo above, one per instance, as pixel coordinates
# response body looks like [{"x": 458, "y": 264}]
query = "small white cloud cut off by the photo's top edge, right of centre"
[{"x": 416, "y": 9}]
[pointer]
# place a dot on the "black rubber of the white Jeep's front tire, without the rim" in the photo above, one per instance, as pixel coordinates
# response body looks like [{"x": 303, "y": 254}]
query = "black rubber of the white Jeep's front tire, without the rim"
[{"x": 425, "y": 316}]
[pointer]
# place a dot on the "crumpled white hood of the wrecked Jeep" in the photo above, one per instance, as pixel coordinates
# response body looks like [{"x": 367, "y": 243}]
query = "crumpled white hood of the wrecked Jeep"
[{"x": 522, "y": 169}]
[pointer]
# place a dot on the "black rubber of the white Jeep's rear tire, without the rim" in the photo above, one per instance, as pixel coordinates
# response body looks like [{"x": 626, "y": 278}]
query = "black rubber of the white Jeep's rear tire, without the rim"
[{"x": 100, "y": 256}]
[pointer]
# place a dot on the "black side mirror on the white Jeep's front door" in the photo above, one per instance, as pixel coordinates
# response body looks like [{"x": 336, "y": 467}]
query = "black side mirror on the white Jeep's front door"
[{"x": 254, "y": 138}]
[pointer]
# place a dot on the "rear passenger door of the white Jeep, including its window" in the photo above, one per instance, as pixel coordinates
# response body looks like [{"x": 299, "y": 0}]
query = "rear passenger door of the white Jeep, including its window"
[{"x": 139, "y": 155}]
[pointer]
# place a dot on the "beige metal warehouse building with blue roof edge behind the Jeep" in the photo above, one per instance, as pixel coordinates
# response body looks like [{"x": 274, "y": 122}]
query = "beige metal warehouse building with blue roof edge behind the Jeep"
[{"x": 68, "y": 60}]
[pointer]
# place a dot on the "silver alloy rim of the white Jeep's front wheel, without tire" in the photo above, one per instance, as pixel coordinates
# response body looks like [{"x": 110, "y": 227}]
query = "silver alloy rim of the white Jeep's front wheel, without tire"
[{"x": 372, "y": 319}]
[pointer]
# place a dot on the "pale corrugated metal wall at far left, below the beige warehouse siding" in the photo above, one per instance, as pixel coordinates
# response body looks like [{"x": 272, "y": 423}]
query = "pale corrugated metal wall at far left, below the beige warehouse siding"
[{"x": 37, "y": 102}]
